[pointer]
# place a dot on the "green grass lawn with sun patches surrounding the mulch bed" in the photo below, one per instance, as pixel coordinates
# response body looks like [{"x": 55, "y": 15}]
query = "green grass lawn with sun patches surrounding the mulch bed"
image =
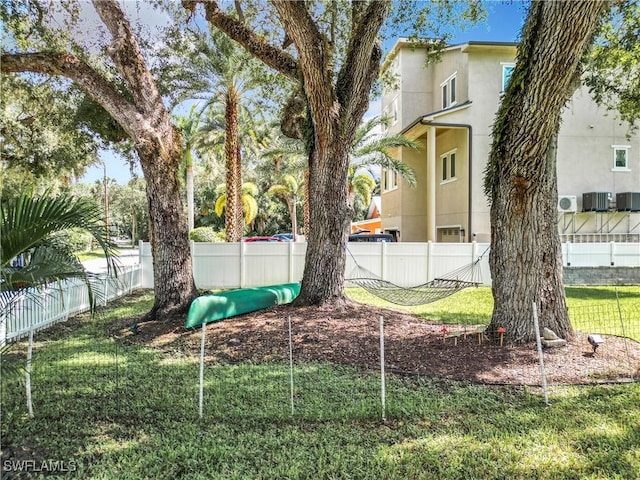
[{"x": 117, "y": 410}]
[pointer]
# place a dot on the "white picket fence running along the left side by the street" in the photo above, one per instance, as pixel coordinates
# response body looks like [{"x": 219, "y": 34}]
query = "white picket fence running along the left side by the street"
[{"x": 37, "y": 309}]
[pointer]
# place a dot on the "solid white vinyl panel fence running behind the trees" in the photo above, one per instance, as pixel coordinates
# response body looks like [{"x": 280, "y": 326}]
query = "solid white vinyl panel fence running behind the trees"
[{"x": 250, "y": 264}]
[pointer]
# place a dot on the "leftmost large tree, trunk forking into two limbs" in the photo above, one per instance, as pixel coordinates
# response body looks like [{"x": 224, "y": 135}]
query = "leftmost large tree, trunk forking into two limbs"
[{"x": 157, "y": 142}]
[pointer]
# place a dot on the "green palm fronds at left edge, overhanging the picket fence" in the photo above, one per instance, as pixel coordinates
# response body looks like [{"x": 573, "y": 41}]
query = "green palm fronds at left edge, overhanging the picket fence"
[{"x": 30, "y": 254}]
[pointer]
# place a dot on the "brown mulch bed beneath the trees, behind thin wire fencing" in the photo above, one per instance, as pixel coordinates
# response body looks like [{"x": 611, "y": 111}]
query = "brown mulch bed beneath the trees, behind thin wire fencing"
[{"x": 350, "y": 336}]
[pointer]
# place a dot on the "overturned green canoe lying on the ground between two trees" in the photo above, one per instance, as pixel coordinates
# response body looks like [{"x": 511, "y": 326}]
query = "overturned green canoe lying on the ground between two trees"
[{"x": 218, "y": 306}]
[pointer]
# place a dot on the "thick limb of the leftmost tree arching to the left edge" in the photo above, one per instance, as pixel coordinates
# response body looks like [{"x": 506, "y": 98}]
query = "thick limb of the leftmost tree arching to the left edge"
[{"x": 75, "y": 69}]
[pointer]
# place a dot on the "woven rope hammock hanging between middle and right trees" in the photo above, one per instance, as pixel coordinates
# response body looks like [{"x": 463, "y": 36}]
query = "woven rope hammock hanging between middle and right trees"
[{"x": 436, "y": 289}]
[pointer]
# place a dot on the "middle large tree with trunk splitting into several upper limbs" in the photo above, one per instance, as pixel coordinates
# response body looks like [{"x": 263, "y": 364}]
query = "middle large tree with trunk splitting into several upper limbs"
[{"x": 331, "y": 106}]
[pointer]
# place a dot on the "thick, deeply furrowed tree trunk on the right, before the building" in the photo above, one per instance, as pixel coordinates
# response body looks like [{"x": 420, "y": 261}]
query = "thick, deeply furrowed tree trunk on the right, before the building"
[{"x": 525, "y": 257}]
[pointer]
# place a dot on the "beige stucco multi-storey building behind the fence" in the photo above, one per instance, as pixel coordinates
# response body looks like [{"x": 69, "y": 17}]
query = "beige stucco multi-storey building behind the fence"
[{"x": 450, "y": 106}]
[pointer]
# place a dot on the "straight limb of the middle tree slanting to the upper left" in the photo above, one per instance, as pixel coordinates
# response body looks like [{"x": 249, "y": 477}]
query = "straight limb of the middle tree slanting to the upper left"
[{"x": 256, "y": 45}]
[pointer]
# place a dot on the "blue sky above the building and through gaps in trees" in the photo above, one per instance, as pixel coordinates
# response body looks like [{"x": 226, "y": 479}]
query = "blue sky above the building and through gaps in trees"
[{"x": 503, "y": 24}]
